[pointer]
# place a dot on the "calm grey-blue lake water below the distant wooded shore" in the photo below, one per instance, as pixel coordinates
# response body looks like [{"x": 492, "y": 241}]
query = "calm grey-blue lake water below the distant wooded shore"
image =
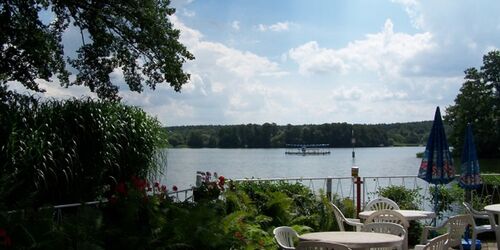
[{"x": 182, "y": 164}]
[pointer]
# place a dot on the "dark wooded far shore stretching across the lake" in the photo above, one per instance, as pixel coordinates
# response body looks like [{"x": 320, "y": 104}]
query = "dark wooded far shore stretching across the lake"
[{"x": 270, "y": 135}]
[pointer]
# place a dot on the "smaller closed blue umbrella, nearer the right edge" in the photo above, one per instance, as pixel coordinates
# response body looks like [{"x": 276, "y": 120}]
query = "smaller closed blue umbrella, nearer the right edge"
[{"x": 469, "y": 178}]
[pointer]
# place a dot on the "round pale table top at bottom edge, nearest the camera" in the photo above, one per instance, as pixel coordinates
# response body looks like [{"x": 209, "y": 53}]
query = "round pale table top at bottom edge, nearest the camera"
[{"x": 356, "y": 239}]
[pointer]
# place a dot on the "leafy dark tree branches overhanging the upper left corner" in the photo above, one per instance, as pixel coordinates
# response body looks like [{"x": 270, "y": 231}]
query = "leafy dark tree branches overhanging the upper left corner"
[{"x": 134, "y": 35}]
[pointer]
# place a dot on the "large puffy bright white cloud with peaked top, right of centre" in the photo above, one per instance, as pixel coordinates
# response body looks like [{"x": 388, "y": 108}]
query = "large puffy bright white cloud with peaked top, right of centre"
[{"x": 382, "y": 52}]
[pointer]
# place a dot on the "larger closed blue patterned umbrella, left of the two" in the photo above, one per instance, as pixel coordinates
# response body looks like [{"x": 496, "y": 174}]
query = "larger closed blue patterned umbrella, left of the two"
[{"x": 437, "y": 163}]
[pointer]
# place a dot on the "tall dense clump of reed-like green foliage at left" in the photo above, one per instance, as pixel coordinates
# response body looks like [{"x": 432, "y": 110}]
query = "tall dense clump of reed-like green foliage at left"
[{"x": 70, "y": 151}]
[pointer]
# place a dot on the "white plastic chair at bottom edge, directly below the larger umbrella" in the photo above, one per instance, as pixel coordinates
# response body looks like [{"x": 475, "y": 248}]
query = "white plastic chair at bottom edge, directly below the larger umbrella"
[{"x": 455, "y": 225}]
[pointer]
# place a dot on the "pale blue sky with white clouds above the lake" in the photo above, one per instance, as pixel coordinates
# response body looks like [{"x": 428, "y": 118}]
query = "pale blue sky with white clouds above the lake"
[{"x": 313, "y": 62}]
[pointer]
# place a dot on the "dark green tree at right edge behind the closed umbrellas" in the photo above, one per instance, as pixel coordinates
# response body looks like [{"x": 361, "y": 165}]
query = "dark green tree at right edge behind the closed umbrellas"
[{"x": 478, "y": 103}]
